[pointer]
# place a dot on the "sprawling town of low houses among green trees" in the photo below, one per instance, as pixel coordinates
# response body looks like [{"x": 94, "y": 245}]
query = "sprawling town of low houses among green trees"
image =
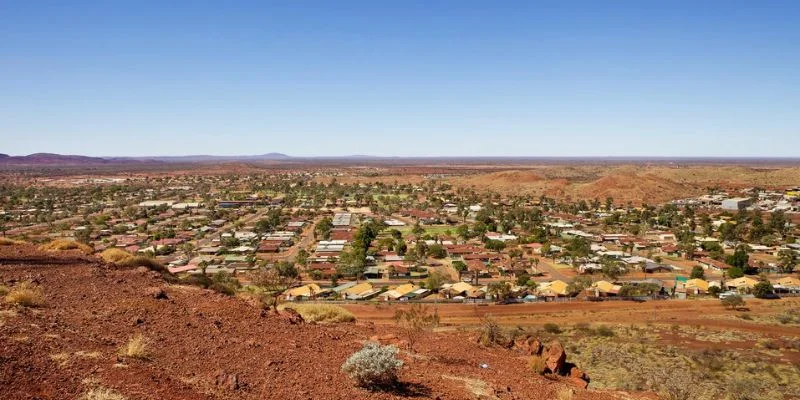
[{"x": 305, "y": 240}]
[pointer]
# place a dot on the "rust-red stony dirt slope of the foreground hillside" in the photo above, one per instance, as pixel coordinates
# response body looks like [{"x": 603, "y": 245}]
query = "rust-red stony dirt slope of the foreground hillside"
[{"x": 196, "y": 335}]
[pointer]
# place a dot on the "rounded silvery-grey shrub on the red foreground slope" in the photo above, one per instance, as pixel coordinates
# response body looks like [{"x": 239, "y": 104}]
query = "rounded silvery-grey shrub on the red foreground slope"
[{"x": 373, "y": 366}]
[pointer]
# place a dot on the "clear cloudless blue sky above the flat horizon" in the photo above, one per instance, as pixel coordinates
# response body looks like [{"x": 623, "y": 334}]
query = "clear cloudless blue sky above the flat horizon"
[{"x": 403, "y": 78}]
